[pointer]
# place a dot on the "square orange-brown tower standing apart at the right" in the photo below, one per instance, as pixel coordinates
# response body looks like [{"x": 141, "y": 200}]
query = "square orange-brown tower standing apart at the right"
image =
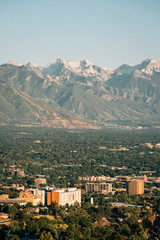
[{"x": 136, "y": 187}]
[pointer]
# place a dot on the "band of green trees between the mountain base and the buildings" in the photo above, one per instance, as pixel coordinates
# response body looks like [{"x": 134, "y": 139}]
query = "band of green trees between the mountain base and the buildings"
[{"x": 64, "y": 155}]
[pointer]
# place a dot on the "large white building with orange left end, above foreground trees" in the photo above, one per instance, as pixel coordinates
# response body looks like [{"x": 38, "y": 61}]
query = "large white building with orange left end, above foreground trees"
[{"x": 64, "y": 196}]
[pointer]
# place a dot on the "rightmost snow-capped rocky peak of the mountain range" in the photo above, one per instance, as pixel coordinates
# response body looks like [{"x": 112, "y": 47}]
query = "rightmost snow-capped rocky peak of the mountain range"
[{"x": 142, "y": 84}]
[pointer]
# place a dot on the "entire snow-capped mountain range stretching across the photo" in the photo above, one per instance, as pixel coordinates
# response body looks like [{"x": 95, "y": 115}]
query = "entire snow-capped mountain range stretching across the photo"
[{"x": 82, "y": 89}]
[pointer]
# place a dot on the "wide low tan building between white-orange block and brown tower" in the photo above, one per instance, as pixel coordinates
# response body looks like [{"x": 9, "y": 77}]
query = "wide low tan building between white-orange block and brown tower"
[{"x": 99, "y": 187}]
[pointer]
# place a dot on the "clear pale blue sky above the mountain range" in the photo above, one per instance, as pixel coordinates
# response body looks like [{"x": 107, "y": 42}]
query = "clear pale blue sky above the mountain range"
[{"x": 105, "y": 32}]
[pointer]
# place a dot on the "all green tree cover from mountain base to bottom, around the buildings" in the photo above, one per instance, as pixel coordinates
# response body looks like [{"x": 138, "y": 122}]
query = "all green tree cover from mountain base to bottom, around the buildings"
[{"x": 64, "y": 155}]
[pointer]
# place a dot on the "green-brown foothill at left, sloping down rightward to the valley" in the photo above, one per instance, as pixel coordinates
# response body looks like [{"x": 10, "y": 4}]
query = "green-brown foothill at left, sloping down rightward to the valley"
[{"x": 17, "y": 107}]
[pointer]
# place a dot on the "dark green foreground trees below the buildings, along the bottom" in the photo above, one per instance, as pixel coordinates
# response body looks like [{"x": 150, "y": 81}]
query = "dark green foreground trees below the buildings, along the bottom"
[{"x": 86, "y": 223}]
